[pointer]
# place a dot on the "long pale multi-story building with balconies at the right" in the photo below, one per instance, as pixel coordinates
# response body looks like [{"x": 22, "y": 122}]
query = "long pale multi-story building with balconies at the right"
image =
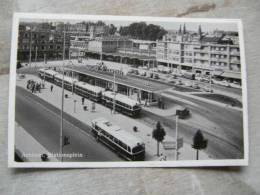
[{"x": 217, "y": 54}]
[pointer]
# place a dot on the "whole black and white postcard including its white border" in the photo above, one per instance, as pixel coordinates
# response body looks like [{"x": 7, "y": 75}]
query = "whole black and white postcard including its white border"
[{"x": 125, "y": 91}]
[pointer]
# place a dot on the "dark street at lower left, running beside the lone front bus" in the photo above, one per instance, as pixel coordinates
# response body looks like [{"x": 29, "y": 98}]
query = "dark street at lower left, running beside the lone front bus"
[{"x": 42, "y": 121}]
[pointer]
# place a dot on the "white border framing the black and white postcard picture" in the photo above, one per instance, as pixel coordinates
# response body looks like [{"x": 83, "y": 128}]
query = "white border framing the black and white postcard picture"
[{"x": 180, "y": 163}]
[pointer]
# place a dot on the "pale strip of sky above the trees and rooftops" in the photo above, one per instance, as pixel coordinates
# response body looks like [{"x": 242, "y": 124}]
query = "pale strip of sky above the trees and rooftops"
[{"x": 193, "y": 26}]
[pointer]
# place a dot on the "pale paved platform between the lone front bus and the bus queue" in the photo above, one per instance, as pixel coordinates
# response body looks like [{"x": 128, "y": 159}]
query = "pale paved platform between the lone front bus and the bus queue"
[{"x": 126, "y": 123}]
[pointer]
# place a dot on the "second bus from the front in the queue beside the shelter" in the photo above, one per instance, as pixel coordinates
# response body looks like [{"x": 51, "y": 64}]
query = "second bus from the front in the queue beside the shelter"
[{"x": 86, "y": 90}]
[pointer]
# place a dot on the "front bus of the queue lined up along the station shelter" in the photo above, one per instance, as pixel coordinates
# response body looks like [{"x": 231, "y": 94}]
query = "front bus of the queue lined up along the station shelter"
[{"x": 123, "y": 103}]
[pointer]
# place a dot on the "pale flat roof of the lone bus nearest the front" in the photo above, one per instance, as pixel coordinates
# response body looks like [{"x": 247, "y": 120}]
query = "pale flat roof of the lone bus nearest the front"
[{"x": 117, "y": 132}]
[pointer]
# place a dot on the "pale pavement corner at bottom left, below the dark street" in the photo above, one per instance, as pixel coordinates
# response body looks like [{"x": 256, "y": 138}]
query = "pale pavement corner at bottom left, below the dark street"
[{"x": 23, "y": 144}]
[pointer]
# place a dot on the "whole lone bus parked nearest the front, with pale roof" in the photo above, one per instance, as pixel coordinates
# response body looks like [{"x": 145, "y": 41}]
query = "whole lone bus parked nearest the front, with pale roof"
[{"x": 122, "y": 142}]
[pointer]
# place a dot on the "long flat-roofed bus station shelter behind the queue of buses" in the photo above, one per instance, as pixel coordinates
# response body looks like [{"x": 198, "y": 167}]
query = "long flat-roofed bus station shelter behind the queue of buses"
[{"x": 144, "y": 90}]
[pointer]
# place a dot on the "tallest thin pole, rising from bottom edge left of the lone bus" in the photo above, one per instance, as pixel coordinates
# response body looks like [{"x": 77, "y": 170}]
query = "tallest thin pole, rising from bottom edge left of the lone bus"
[{"x": 62, "y": 101}]
